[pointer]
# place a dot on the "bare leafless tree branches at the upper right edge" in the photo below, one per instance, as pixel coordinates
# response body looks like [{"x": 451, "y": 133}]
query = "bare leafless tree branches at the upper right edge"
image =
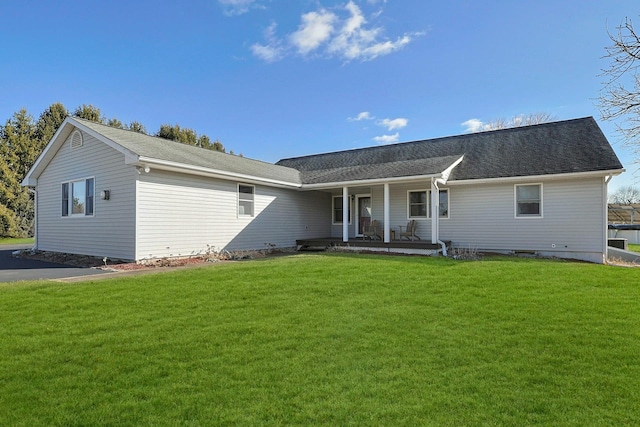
[{"x": 620, "y": 95}]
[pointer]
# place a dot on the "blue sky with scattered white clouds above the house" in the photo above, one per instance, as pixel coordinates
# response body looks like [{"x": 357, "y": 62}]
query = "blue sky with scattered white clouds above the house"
[{"x": 274, "y": 79}]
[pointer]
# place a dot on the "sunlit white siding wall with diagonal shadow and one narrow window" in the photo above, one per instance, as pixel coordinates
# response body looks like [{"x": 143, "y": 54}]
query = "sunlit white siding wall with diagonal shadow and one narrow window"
[{"x": 183, "y": 215}]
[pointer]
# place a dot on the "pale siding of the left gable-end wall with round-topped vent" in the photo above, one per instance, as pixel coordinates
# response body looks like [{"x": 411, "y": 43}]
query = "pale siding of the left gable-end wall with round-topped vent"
[{"x": 110, "y": 231}]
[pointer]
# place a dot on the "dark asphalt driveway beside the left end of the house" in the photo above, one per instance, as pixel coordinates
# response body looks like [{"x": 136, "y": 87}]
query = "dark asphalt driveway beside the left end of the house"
[{"x": 15, "y": 269}]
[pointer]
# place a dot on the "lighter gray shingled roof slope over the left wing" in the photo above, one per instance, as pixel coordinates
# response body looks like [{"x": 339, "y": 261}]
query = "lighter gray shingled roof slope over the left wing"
[{"x": 166, "y": 150}]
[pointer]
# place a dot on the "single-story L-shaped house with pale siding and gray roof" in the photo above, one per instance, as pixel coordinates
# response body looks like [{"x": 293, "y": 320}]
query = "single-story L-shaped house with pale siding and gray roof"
[{"x": 115, "y": 193}]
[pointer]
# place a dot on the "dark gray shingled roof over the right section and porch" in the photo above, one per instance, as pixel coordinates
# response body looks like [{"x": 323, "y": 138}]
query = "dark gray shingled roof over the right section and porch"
[{"x": 569, "y": 146}]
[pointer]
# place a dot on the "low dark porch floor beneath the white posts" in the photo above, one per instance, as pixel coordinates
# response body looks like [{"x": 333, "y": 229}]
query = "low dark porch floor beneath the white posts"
[{"x": 399, "y": 246}]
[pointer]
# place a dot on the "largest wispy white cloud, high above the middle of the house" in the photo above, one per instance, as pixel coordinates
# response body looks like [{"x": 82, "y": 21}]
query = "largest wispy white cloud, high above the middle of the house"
[{"x": 326, "y": 33}]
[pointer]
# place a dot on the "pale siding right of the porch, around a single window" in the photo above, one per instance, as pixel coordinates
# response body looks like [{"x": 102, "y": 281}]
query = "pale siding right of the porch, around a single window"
[{"x": 573, "y": 221}]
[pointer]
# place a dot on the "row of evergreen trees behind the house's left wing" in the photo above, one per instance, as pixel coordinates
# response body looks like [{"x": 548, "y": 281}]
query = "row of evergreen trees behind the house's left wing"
[{"x": 22, "y": 139}]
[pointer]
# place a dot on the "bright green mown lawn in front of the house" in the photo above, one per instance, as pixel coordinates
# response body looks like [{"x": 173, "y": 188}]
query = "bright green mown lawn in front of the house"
[{"x": 328, "y": 339}]
